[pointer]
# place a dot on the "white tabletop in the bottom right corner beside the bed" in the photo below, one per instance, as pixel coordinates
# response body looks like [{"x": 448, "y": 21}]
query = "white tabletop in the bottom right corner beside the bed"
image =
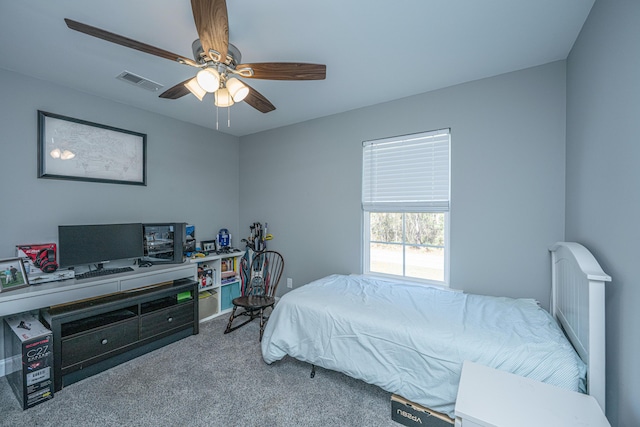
[{"x": 494, "y": 398}]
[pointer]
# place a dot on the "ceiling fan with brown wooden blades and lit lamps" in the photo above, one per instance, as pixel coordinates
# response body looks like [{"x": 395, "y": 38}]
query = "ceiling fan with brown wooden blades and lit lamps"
[{"x": 218, "y": 60}]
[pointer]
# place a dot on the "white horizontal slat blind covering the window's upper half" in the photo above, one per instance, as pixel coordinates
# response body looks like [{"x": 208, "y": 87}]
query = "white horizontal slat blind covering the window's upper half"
[{"x": 407, "y": 174}]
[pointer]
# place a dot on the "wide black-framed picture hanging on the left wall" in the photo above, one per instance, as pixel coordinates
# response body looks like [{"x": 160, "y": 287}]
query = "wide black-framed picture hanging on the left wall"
[{"x": 74, "y": 149}]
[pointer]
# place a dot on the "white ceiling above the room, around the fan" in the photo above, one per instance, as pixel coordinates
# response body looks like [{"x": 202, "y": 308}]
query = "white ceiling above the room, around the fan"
[{"x": 374, "y": 51}]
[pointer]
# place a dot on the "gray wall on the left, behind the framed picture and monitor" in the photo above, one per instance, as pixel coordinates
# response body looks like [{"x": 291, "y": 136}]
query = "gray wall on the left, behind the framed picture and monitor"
[{"x": 184, "y": 166}]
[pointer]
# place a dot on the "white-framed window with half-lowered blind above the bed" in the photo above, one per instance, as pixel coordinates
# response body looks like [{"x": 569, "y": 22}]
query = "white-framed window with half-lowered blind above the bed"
[{"x": 405, "y": 202}]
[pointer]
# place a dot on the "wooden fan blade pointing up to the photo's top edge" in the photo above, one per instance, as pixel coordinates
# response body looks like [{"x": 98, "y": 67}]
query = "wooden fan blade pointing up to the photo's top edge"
[{"x": 212, "y": 23}]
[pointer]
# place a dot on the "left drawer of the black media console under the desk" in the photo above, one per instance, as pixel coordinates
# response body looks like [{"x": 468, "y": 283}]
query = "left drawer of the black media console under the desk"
[{"x": 98, "y": 342}]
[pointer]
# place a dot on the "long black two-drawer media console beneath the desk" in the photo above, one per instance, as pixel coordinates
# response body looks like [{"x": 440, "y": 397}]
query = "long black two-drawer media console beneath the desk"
[{"x": 98, "y": 333}]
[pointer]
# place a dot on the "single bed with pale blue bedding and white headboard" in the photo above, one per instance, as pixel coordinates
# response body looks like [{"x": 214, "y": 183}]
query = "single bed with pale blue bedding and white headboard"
[{"x": 411, "y": 340}]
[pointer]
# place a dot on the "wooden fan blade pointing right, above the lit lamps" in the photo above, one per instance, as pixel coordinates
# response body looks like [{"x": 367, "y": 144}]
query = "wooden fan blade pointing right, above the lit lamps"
[{"x": 284, "y": 71}]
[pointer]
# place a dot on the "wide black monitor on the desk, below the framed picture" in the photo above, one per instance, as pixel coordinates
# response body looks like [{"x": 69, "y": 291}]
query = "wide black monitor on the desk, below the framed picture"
[{"x": 96, "y": 244}]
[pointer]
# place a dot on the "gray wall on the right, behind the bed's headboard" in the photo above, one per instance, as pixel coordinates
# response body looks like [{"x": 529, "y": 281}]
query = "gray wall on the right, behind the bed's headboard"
[{"x": 603, "y": 201}]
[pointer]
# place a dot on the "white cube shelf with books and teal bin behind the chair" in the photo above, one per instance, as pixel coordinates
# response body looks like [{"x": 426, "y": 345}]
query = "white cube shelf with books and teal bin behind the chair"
[{"x": 219, "y": 283}]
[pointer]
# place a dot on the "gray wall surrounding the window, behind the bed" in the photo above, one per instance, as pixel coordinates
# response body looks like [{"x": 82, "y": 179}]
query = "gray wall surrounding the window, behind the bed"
[{"x": 508, "y": 158}]
